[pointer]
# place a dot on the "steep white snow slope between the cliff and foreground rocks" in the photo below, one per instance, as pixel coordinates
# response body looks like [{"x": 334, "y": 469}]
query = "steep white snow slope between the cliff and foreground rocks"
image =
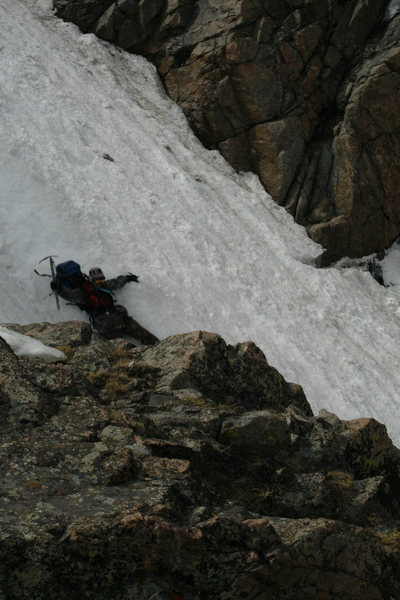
[{"x": 212, "y": 250}]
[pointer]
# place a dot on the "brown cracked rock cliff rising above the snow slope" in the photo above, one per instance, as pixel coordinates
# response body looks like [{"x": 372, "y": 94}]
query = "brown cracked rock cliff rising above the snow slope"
[{"x": 303, "y": 92}]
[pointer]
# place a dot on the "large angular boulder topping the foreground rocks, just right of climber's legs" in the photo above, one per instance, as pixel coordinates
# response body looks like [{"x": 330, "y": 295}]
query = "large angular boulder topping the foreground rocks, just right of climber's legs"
[{"x": 223, "y": 373}]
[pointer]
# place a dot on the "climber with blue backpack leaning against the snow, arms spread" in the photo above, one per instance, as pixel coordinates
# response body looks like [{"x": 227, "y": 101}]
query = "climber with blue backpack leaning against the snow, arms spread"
[{"x": 94, "y": 294}]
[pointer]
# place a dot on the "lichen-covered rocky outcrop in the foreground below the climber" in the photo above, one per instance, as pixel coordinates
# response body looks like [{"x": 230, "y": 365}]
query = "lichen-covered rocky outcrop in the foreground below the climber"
[{"x": 184, "y": 471}]
